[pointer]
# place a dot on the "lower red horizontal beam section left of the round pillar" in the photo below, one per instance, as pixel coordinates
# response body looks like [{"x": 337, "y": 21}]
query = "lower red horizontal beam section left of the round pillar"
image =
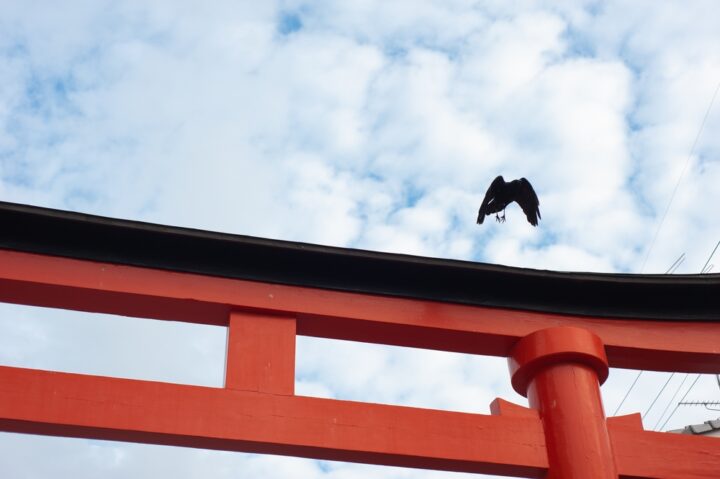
[{"x": 73, "y": 405}]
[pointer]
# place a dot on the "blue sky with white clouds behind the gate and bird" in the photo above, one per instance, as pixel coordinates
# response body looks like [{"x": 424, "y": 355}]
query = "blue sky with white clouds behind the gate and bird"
[{"x": 364, "y": 124}]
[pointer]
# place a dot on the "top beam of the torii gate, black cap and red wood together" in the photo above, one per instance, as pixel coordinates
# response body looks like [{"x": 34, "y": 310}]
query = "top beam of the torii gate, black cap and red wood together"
[{"x": 653, "y": 322}]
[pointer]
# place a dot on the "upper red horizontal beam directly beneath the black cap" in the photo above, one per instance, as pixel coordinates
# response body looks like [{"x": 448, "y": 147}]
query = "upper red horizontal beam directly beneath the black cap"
[{"x": 103, "y": 287}]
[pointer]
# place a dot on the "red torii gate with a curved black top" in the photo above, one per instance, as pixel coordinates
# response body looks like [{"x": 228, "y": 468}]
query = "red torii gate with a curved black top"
[{"x": 560, "y": 332}]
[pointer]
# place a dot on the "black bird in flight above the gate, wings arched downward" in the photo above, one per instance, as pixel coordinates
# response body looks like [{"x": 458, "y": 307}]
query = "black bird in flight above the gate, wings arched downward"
[{"x": 501, "y": 193}]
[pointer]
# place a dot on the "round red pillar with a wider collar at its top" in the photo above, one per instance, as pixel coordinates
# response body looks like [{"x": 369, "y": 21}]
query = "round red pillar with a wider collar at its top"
[{"x": 560, "y": 371}]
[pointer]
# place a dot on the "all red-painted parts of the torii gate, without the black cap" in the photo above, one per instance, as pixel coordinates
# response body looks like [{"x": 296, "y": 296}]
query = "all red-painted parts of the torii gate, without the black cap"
[{"x": 565, "y": 435}]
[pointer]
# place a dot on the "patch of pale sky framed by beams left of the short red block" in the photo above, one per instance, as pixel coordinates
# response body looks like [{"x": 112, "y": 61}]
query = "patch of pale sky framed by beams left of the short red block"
[{"x": 109, "y": 345}]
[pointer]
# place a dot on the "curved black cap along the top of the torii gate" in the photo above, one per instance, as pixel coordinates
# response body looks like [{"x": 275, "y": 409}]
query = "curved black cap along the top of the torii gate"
[{"x": 61, "y": 233}]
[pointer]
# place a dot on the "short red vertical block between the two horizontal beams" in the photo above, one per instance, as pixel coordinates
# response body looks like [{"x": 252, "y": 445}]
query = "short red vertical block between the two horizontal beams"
[{"x": 261, "y": 353}]
